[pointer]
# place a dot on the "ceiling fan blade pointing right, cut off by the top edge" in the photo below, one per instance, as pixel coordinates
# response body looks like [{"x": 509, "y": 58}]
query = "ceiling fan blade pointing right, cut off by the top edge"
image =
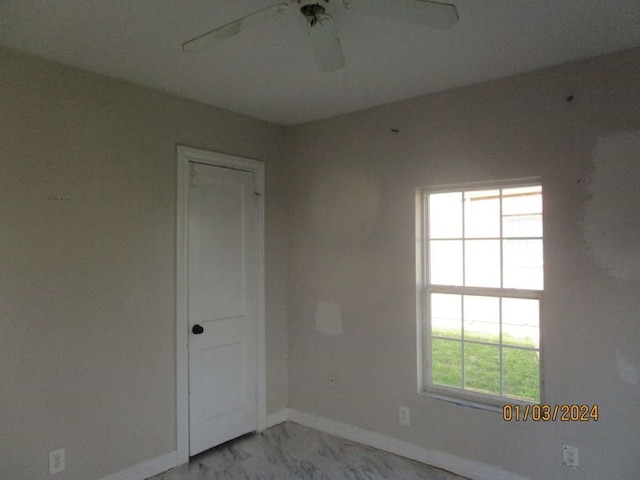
[{"x": 420, "y": 12}]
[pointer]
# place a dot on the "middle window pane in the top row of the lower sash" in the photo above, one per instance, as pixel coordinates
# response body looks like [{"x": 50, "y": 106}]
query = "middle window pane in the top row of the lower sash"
[{"x": 482, "y": 318}]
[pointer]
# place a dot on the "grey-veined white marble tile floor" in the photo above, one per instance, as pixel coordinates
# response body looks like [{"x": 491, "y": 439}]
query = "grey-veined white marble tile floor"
[{"x": 290, "y": 452}]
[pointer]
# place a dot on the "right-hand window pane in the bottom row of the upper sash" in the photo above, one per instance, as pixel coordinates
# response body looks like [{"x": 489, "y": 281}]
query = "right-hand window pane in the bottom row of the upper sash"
[{"x": 523, "y": 264}]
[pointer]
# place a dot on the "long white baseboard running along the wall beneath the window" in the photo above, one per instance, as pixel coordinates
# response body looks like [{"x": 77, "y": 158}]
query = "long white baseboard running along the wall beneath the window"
[{"x": 467, "y": 468}]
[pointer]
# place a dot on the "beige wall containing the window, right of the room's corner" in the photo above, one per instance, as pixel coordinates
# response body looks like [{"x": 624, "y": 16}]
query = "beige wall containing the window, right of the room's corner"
[{"x": 352, "y": 243}]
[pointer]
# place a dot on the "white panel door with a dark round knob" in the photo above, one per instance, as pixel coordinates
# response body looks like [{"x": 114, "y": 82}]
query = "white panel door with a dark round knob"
[{"x": 223, "y": 305}]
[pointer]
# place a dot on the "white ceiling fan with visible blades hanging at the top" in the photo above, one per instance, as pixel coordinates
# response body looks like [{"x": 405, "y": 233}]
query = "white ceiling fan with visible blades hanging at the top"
[{"x": 323, "y": 34}]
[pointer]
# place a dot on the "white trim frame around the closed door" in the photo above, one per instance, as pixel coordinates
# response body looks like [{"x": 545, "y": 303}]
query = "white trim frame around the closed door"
[{"x": 184, "y": 156}]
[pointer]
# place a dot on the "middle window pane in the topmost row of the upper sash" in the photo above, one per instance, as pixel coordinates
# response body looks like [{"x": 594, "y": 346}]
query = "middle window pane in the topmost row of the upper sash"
[{"x": 482, "y": 214}]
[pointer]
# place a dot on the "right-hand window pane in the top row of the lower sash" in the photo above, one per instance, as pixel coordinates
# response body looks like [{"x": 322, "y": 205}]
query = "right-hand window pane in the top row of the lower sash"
[{"x": 520, "y": 322}]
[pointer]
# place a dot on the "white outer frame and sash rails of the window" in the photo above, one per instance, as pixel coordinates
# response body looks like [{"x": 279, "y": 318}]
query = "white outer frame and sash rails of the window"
[{"x": 424, "y": 289}]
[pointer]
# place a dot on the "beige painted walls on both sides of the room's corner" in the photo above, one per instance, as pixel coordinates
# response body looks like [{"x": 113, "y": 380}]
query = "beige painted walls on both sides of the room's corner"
[{"x": 87, "y": 204}]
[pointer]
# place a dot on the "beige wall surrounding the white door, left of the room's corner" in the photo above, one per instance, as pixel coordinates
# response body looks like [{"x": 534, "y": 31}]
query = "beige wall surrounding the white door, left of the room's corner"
[{"x": 87, "y": 264}]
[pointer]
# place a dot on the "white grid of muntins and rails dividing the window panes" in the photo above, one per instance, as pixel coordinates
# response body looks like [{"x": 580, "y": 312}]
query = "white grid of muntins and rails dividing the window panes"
[{"x": 463, "y": 290}]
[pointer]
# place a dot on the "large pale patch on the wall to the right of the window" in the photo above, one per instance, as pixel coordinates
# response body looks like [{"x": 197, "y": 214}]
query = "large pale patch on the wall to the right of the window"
[{"x": 612, "y": 215}]
